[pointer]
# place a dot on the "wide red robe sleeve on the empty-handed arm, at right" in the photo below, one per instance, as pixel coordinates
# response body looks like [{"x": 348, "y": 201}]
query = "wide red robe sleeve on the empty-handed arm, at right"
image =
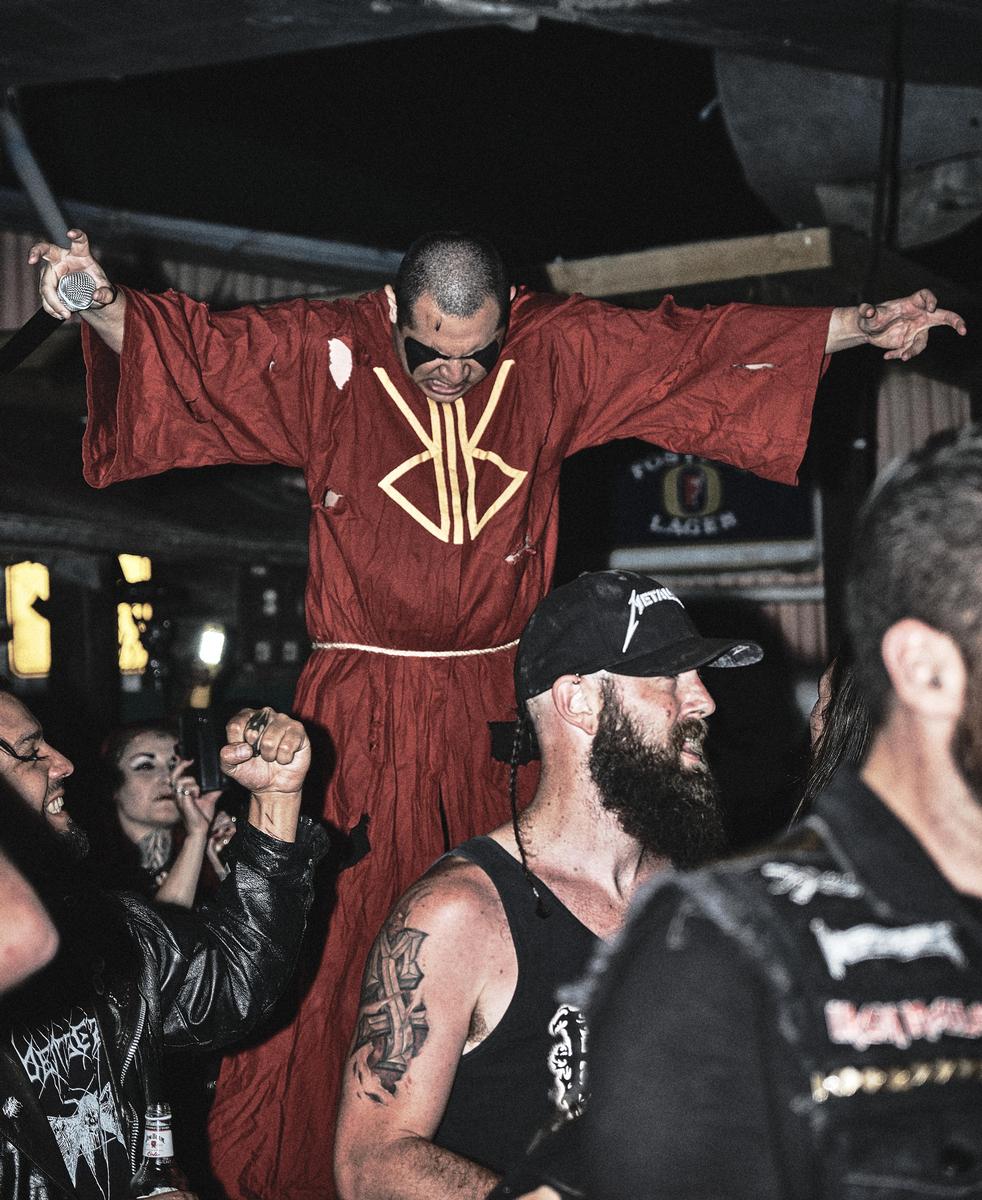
[{"x": 734, "y": 383}]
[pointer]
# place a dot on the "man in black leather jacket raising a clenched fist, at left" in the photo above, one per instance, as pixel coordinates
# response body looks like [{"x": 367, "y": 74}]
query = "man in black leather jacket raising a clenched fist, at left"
[{"x": 81, "y": 1042}]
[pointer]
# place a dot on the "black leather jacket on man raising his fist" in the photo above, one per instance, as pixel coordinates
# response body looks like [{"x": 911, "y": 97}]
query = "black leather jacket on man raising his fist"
[{"x": 205, "y": 979}]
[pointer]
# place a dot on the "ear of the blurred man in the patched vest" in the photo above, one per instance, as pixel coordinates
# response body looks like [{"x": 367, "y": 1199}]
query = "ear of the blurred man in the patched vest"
[{"x": 926, "y": 670}]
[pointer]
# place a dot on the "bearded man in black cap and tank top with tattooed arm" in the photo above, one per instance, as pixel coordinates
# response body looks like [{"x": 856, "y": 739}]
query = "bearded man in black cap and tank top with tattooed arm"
[{"x": 463, "y": 1052}]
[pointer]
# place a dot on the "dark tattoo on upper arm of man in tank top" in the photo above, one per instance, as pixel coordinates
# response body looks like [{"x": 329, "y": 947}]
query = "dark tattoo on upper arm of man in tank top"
[{"x": 392, "y": 1021}]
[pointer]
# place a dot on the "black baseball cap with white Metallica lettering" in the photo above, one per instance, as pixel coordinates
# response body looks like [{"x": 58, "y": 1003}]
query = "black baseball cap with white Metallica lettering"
[{"x": 619, "y": 622}]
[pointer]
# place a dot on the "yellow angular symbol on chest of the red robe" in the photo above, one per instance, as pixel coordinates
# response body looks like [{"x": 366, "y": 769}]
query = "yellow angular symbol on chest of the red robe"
[{"x": 448, "y": 431}]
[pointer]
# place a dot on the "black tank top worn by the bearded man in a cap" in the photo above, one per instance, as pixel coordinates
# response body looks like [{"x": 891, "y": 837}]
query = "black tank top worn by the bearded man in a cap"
[{"x": 510, "y": 1085}]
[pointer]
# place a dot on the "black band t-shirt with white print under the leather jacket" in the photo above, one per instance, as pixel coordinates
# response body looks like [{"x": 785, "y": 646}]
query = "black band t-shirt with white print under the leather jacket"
[{"x": 65, "y": 1065}]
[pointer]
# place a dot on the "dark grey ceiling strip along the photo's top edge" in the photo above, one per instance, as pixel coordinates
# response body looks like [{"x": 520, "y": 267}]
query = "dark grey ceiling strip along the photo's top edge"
[{"x": 56, "y": 41}]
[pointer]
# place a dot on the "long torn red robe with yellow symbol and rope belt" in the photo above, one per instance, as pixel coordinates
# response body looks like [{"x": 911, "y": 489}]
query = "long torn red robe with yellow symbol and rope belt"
[{"x": 444, "y": 539}]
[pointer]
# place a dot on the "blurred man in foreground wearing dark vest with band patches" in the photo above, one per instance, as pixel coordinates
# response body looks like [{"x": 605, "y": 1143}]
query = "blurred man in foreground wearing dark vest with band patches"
[{"x": 807, "y": 1022}]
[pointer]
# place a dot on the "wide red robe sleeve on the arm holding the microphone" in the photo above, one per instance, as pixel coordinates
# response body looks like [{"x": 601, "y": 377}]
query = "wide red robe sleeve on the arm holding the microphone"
[{"x": 202, "y": 388}]
